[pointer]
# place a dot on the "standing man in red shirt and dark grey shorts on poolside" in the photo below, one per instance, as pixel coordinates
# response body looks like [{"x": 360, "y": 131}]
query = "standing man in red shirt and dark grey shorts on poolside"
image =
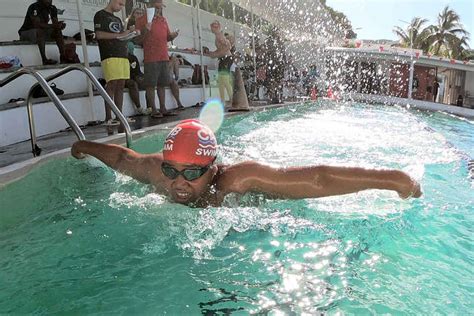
[{"x": 156, "y": 36}]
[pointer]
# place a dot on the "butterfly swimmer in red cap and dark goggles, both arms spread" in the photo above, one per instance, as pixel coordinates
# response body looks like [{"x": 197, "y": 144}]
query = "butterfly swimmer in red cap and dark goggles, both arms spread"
[{"x": 186, "y": 171}]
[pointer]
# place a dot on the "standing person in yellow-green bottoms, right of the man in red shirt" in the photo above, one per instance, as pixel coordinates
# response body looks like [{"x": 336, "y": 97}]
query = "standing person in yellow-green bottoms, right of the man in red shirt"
[{"x": 224, "y": 55}]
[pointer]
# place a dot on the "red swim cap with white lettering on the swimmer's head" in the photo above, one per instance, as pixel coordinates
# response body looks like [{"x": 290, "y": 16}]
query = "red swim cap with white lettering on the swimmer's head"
[{"x": 190, "y": 142}]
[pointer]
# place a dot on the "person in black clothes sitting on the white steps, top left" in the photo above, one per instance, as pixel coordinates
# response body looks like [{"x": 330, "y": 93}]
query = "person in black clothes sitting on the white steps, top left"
[{"x": 37, "y": 29}]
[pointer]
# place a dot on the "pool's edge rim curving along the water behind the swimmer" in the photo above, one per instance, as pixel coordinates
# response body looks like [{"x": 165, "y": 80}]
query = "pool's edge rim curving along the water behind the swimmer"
[{"x": 17, "y": 159}]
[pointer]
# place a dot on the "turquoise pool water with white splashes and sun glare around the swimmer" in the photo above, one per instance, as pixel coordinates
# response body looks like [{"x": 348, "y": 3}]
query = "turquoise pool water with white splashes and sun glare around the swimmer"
[{"x": 78, "y": 238}]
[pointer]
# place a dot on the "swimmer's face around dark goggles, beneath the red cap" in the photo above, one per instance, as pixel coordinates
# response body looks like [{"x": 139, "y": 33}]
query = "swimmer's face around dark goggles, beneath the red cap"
[{"x": 184, "y": 191}]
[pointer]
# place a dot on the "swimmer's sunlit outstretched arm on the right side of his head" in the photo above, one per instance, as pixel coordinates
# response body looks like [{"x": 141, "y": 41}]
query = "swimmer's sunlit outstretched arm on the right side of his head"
[{"x": 317, "y": 181}]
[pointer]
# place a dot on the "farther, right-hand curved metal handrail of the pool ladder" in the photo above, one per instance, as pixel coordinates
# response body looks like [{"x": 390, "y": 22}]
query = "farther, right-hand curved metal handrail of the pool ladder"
[{"x": 100, "y": 89}]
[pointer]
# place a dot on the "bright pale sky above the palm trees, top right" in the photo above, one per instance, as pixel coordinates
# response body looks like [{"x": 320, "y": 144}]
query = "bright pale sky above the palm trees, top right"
[{"x": 375, "y": 19}]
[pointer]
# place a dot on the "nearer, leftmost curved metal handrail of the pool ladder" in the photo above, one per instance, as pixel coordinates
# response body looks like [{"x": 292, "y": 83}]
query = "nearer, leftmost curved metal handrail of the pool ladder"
[{"x": 54, "y": 98}]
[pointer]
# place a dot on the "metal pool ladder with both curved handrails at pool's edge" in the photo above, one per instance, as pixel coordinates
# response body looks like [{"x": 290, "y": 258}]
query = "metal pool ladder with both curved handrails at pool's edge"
[{"x": 43, "y": 82}]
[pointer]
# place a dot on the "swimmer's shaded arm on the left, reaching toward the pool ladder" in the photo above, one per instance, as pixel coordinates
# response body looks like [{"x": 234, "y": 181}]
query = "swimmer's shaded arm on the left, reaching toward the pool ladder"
[{"x": 121, "y": 159}]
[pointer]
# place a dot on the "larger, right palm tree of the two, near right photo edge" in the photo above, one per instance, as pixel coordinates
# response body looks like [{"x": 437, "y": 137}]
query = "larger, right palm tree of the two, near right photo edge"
[{"x": 448, "y": 36}]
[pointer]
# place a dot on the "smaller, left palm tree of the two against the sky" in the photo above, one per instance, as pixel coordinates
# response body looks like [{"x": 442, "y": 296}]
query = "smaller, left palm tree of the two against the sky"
[{"x": 415, "y": 35}]
